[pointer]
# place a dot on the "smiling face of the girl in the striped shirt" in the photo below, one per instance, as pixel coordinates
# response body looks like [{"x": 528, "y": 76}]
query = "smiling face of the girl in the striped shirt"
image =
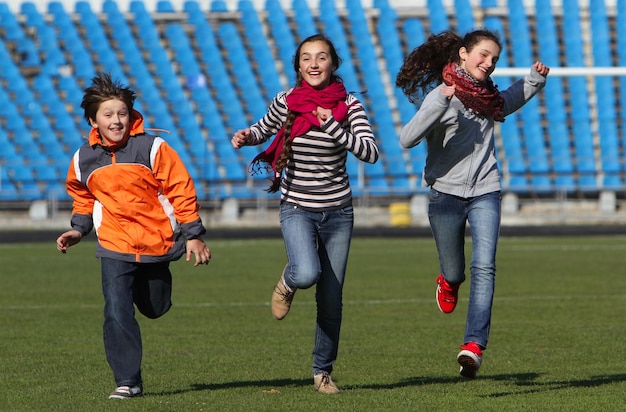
[{"x": 316, "y": 65}]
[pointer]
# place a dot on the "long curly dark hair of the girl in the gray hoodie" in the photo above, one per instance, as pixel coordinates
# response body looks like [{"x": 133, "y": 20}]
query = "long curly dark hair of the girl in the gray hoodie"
[{"x": 421, "y": 69}]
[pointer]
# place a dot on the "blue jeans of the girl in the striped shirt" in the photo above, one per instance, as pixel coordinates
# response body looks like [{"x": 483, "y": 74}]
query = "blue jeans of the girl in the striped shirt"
[{"x": 318, "y": 244}]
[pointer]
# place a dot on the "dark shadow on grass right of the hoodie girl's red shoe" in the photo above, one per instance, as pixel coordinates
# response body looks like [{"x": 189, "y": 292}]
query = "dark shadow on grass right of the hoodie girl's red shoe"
[{"x": 530, "y": 384}]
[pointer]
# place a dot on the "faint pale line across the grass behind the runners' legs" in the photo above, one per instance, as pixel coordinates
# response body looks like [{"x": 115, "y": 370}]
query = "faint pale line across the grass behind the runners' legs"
[{"x": 310, "y": 302}]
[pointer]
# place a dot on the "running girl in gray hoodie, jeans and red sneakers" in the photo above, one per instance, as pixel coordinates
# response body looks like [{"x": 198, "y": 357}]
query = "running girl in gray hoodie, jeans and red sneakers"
[{"x": 456, "y": 119}]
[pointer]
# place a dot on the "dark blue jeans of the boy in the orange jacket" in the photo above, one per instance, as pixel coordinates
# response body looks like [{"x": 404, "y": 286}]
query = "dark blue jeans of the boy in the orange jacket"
[{"x": 125, "y": 284}]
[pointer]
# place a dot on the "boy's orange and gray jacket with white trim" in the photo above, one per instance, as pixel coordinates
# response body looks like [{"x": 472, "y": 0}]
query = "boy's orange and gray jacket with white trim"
[{"x": 138, "y": 196}]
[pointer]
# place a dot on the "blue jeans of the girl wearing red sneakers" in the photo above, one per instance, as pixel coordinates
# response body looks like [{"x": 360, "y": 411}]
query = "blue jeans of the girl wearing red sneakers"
[{"x": 448, "y": 216}]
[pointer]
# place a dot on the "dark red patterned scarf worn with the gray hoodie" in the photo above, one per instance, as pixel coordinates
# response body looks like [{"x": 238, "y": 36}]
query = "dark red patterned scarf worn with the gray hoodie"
[{"x": 482, "y": 97}]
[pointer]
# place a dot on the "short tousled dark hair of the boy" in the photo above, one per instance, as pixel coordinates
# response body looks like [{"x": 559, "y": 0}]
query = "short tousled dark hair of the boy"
[{"x": 104, "y": 88}]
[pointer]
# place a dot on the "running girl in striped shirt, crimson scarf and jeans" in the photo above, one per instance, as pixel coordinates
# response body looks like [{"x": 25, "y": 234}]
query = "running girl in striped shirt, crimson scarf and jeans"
[{"x": 316, "y": 125}]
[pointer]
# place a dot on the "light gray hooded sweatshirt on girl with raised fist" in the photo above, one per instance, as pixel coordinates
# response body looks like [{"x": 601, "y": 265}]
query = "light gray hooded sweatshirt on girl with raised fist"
[{"x": 461, "y": 157}]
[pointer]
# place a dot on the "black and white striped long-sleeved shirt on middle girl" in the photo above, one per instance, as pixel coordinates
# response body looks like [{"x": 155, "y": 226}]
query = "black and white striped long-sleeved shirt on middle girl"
[{"x": 315, "y": 177}]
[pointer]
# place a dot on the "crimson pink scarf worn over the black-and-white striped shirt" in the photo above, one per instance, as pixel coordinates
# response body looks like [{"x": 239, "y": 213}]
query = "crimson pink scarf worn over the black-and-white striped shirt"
[{"x": 303, "y": 101}]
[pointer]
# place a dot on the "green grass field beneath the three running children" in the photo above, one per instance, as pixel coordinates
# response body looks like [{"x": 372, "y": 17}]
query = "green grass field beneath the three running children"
[{"x": 557, "y": 339}]
